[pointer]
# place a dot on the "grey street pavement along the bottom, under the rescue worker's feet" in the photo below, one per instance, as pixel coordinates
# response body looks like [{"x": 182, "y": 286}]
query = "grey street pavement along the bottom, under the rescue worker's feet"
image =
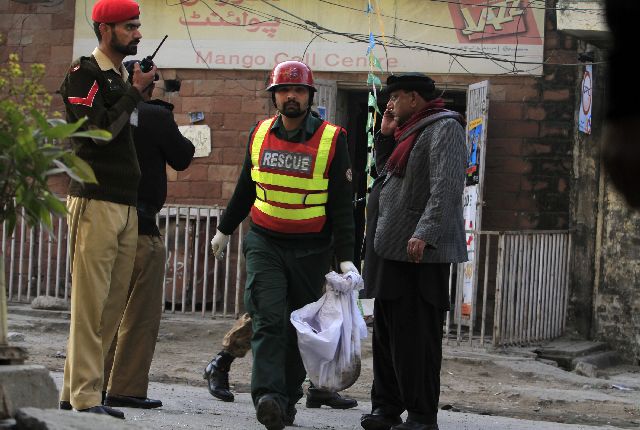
[{"x": 191, "y": 407}]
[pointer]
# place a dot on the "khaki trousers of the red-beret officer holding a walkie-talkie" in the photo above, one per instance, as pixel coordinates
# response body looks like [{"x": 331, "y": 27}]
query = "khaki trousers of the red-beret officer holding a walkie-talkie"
[{"x": 102, "y": 245}]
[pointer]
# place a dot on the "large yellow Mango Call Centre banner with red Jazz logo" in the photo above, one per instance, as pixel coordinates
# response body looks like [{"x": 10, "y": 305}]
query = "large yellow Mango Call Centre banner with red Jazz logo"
[{"x": 476, "y": 36}]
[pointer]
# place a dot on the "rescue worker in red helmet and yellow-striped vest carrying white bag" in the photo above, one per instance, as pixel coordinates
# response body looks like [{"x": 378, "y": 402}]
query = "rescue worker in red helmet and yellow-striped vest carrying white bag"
[{"x": 296, "y": 183}]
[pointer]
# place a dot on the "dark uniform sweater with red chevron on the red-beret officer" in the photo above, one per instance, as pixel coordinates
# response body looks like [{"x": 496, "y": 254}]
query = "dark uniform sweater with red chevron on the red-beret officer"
[{"x": 95, "y": 89}]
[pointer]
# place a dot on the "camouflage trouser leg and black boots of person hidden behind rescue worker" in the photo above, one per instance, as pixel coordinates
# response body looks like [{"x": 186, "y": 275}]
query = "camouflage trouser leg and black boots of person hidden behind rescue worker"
[{"x": 235, "y": 344}]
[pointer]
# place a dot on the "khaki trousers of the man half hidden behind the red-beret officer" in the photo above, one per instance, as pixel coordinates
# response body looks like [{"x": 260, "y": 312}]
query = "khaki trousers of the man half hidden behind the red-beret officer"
[{"x": 129, "y": 358}]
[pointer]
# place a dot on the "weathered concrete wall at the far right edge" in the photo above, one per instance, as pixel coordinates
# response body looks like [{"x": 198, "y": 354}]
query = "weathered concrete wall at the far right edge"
[{"x": 604, "y": 303}]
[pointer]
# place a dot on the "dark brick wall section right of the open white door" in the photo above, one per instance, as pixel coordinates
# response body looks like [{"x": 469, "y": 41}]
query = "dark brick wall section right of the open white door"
[{"x": 528, "y": 160}]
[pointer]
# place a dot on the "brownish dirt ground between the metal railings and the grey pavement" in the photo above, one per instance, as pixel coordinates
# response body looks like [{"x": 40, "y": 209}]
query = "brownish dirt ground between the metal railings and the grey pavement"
[{"x": 509, "y": 383}]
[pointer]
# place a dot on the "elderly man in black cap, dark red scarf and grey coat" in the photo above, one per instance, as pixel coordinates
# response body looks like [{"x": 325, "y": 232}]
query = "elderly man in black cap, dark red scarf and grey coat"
[{"x": 415, "y": 231}]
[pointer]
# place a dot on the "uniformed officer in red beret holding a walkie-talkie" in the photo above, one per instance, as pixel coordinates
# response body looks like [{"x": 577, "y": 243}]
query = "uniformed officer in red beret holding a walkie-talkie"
[{"x": 103, "y": 223}]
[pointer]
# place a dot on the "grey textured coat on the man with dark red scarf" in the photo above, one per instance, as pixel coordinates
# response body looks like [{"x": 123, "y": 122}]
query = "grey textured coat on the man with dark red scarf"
[{"x": 426, "y": 203}]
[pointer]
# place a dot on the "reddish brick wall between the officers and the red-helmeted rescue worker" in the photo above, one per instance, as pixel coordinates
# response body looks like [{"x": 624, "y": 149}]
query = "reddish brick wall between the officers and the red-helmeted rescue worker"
[{"x": 232, "y": 102}]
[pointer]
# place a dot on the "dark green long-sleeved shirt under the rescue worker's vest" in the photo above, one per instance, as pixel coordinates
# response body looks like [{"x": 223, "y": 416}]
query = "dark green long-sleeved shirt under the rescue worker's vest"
[{"x": 339, "y": 209}]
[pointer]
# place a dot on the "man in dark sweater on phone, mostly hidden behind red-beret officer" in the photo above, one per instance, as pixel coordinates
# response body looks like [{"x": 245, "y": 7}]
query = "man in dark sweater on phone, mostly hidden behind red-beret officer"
[{"x": 158, "y": 142}]
